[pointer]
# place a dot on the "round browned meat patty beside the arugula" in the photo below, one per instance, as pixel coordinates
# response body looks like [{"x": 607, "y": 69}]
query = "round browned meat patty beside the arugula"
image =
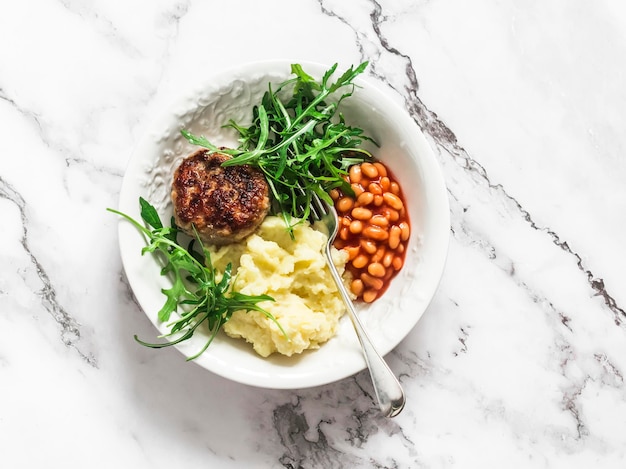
[{"x": 225, "y": 204}]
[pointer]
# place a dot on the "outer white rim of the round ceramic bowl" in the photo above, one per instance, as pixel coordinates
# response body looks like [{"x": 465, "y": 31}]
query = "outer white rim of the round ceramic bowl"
[{"x": 435, "y": 184}]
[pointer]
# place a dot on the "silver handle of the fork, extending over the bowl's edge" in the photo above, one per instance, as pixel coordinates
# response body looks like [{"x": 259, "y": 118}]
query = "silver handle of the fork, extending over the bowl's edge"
[{"x": 391, "y": 398}]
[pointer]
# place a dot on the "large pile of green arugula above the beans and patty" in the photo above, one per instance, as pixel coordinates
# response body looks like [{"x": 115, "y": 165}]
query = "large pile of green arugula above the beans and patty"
[{"x": 302, "y": 144}]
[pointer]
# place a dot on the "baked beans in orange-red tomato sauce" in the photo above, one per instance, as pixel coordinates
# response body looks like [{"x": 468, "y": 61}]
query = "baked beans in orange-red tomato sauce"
[{"x": 374, "y": 228}]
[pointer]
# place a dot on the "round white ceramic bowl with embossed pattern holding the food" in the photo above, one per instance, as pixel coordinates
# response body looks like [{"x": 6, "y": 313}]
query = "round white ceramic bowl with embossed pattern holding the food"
[{"x": 403, "y": 148}]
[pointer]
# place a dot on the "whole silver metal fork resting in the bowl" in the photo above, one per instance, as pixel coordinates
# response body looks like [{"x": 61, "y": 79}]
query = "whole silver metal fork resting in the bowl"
[{"x": 388, "y": 390}]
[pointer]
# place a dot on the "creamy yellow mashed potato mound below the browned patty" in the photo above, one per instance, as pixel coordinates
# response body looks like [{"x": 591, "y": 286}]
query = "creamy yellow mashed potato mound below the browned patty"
[{"x": 307, "y": 304}]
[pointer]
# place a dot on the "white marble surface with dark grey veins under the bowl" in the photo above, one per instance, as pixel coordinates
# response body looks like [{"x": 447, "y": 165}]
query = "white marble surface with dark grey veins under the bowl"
[{"x": 518, "y": 362}]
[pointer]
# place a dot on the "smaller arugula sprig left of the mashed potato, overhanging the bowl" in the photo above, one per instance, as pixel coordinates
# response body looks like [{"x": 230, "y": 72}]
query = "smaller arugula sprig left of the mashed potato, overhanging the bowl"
[{"x": 195, "y": 292}]
